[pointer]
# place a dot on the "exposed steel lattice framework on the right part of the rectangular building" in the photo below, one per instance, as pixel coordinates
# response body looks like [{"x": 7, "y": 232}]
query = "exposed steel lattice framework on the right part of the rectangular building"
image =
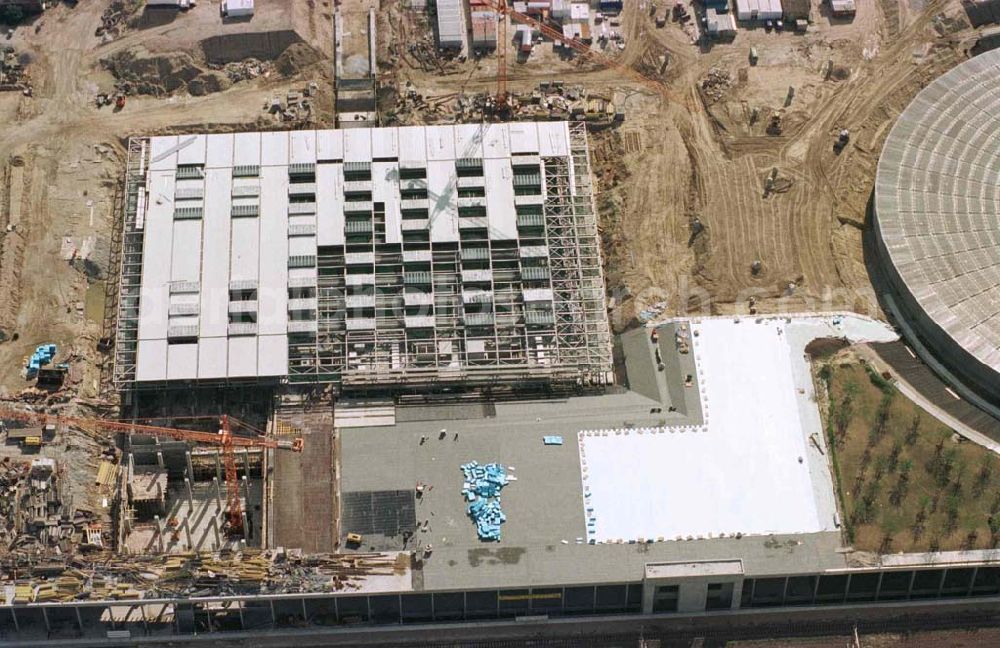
[{"x": 530, "y": 309}]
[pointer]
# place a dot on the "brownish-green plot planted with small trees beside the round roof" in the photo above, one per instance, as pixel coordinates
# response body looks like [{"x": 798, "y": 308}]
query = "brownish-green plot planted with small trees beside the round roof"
[{"x": 903, "y": 482}]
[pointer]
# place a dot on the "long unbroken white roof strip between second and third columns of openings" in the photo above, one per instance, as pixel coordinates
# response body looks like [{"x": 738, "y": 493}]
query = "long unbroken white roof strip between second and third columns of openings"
[{"x": 272, "y": 295}]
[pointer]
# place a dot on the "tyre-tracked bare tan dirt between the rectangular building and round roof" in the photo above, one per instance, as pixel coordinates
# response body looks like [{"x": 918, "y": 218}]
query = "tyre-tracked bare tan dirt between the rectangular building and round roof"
[{"x": 701, "y": 156}]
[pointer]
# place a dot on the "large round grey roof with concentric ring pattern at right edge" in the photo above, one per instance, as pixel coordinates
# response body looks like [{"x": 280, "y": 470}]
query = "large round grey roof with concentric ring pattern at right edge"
[{"x": 937, "y": 201}]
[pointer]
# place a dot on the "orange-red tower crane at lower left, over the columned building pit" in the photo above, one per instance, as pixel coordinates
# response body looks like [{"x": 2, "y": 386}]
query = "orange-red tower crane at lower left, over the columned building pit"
[{"x": 223, "y": 438}]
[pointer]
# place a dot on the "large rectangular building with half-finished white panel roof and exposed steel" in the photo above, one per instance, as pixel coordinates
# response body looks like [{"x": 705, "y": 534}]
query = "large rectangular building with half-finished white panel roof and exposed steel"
[{"x": 413, "y": 257}]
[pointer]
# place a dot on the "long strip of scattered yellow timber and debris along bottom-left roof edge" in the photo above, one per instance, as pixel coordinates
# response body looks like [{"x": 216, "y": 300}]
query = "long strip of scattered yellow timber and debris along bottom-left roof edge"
[{"x": 68, "y": 578}]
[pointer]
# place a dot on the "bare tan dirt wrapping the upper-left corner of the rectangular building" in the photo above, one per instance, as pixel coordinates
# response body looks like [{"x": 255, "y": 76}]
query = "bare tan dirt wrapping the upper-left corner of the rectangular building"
[{"x": 67, "y": 156}]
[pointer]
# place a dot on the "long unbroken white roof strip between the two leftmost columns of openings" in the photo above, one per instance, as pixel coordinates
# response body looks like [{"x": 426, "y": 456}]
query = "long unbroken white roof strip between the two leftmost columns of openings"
[{"x": 215, "y": 264}]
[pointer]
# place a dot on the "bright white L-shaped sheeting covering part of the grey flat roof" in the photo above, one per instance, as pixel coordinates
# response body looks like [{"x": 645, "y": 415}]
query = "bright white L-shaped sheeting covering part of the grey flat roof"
[{"x": 751, "y": 468}]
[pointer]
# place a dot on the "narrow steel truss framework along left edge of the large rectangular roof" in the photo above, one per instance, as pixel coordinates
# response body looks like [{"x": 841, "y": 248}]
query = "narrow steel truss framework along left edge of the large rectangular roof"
[{"x": 130, "y": 273}]
